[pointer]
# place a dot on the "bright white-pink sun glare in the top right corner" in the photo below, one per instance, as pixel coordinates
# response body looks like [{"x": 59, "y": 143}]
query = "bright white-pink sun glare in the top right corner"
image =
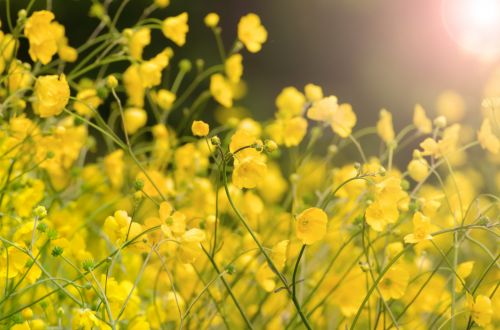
[{"x": 474, "y": 25}]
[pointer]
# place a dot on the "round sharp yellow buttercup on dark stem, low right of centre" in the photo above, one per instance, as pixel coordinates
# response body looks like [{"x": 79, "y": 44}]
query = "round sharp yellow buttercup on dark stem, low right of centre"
[{"x": 310, "y": 225}]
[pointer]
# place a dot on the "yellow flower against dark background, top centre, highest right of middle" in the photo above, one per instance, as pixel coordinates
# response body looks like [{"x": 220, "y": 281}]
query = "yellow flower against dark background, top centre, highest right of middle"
[{"x": 251, "y": 32}]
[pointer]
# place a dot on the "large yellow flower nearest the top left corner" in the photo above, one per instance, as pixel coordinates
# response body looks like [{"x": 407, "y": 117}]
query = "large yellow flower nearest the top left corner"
[{"x": 41, "y": 33}]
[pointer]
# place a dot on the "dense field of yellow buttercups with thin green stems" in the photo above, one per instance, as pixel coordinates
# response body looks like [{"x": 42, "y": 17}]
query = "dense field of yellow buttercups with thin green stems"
[{"x": 136, "y": 194}]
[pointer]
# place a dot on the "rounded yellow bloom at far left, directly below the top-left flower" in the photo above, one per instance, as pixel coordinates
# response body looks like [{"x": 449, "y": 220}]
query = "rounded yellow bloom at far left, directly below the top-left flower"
[{"x": 51, "y": 95}]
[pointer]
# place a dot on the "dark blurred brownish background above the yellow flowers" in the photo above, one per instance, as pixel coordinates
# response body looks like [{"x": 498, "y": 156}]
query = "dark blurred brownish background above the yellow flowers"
[{"x": 372, "y": 54}]
